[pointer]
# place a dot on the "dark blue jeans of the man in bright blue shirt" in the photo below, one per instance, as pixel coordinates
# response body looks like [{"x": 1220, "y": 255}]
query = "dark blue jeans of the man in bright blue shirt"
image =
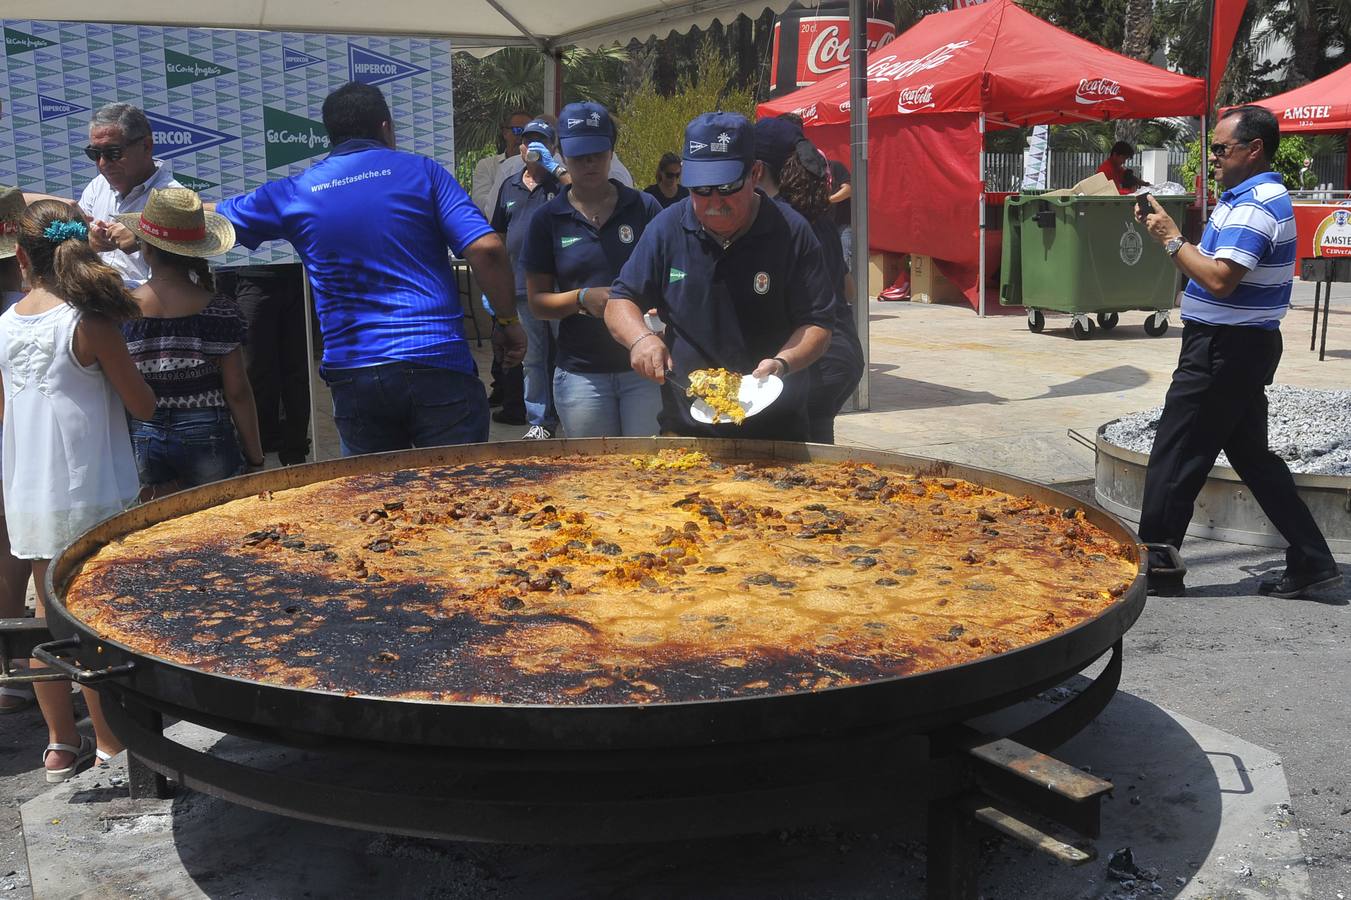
[{"x": 406, "y": 405}]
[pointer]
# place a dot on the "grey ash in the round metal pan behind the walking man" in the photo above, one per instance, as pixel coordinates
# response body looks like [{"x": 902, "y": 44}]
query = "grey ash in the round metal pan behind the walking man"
[{"x": 1310, "y": 429}]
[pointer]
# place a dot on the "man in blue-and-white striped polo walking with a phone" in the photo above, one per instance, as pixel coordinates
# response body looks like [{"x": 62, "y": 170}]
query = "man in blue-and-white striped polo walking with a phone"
[{"x": 1237, "y": 295}]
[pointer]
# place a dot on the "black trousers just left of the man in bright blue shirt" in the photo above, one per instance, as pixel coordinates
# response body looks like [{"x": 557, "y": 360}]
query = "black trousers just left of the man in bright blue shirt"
[{"x": 275, "y": 307}]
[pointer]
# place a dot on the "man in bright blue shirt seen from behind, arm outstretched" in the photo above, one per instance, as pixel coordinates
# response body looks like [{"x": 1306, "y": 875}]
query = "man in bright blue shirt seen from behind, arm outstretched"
[{"x": 372, "y": 226}]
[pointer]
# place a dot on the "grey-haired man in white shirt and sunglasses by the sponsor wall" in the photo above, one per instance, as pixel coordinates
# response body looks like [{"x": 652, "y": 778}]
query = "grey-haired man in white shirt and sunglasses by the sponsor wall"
[{"x": 122, "y": 145}]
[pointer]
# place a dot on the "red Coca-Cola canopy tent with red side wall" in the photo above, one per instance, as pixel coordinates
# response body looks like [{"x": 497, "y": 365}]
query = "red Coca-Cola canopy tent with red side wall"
[{"x": 937, "y": 89}]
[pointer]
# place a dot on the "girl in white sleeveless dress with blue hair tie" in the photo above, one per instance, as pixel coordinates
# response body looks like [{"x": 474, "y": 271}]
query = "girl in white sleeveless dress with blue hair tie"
[{"x": 68, "y": 460}]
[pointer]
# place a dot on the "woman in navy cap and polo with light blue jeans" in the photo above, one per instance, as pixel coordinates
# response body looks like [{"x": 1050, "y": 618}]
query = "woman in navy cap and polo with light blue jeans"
[{"x": 573, "y": 252}]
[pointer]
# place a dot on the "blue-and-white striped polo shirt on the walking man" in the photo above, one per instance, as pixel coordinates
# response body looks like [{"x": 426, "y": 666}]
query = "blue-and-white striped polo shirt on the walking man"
[{"x": 1254, "y": 226}]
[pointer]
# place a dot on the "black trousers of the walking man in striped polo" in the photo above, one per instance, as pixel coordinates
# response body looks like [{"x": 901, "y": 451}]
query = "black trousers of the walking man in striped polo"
[{"x": 1218, "y": 402}]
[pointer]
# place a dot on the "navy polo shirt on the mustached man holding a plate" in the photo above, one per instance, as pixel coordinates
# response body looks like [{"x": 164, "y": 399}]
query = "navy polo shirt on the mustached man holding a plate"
[{"x": 732, "y": 307}]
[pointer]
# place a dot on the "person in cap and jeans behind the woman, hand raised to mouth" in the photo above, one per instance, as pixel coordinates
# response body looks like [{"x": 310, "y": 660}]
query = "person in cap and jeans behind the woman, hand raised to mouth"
[{"x": 518, "y": 199}]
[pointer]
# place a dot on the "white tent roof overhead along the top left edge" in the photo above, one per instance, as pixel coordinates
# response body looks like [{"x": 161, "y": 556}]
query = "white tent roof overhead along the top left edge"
[{"x": 484, "y": 25}]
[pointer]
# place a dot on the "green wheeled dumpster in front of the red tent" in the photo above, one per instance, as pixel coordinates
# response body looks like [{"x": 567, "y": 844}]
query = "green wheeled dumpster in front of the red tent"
[{"x": 1087, "y": 257}]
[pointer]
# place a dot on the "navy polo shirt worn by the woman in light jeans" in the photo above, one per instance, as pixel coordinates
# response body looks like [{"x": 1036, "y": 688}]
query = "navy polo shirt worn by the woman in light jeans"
[{"x": 561, "y": 243}]
